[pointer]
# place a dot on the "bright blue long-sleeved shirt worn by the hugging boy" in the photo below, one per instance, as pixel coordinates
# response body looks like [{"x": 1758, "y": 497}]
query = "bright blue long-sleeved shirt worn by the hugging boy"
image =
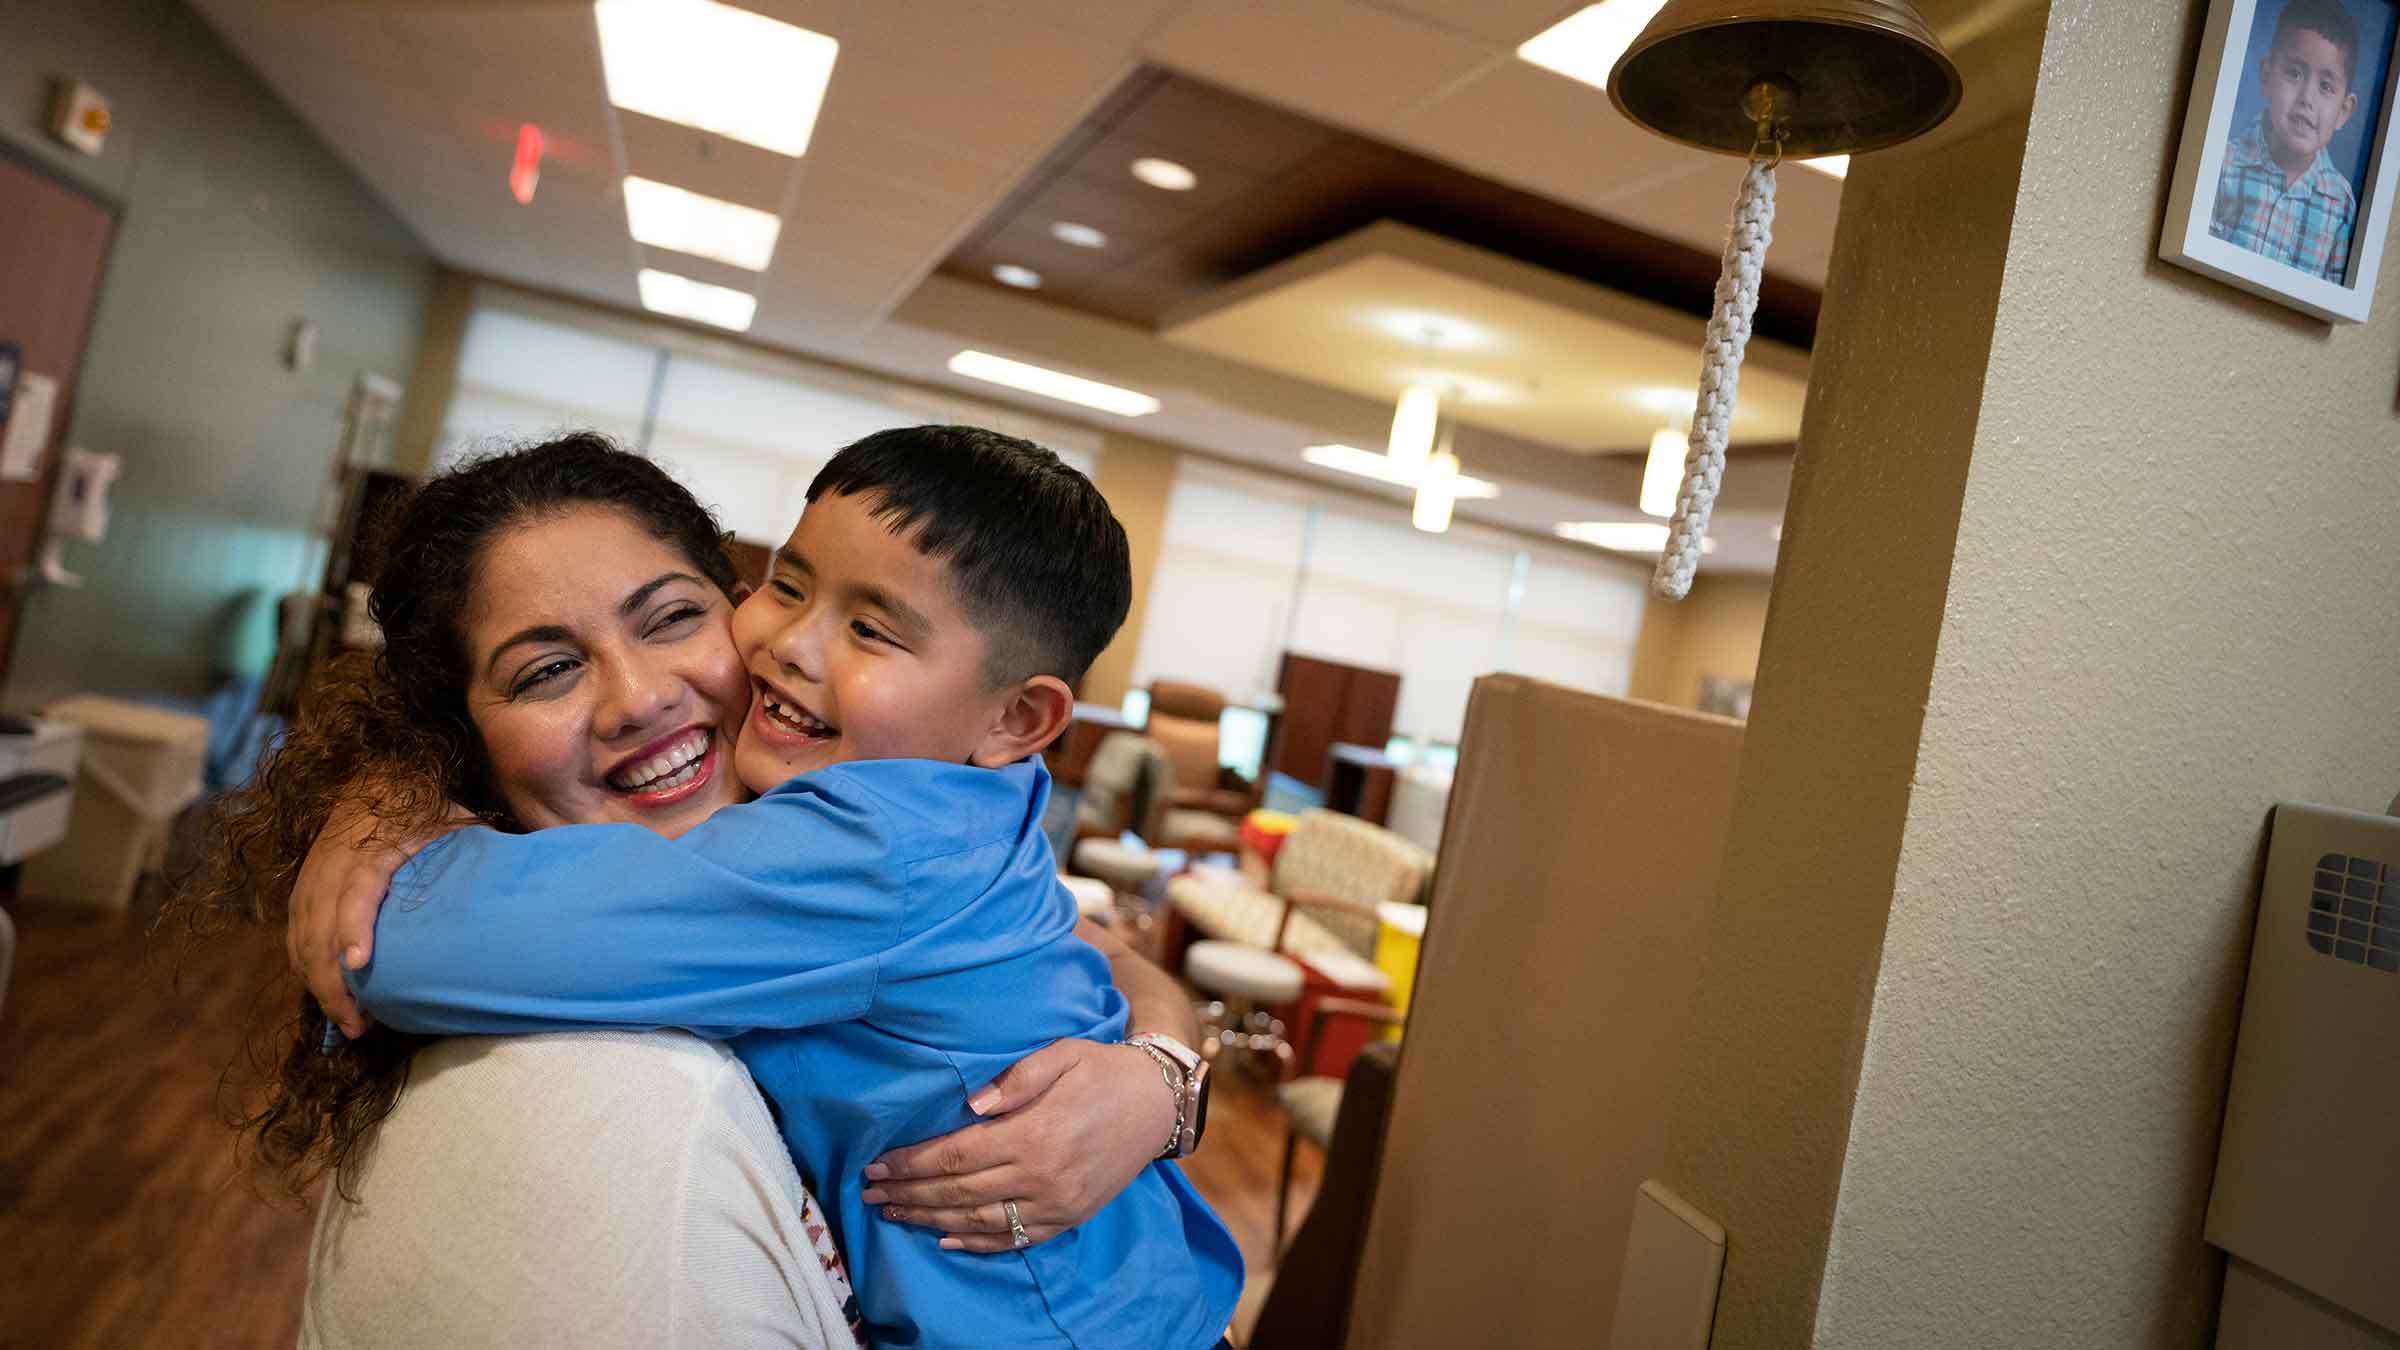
[{"x": 877, "y": 940}]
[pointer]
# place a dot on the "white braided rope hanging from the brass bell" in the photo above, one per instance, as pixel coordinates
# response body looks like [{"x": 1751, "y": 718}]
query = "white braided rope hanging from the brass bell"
[{"x": 1720, "y": 378}]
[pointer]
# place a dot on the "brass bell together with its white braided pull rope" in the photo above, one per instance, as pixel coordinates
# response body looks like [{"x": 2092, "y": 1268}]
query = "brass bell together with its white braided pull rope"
[{"x": 1763, "y": 80}]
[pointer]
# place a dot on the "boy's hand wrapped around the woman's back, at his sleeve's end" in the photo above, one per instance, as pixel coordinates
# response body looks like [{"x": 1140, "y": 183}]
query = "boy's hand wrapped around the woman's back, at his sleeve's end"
[{"x": 342, "y": 885}]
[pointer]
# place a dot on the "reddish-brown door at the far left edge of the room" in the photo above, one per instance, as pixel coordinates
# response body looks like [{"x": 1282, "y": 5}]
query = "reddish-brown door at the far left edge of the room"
[{"x": 54, "y": 249}]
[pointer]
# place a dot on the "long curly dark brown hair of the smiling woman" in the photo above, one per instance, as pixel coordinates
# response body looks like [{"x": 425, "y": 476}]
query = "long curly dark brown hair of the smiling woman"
[{"x": 392, "y": 736}]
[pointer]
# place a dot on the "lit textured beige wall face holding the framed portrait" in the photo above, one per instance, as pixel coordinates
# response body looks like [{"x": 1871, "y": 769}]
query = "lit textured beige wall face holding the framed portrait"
[{"x": 2171, "y": 607}]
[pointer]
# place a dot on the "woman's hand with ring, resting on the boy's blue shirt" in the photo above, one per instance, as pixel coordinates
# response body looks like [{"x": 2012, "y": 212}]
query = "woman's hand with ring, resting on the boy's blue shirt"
[{"x": 1072, "y": 1125}]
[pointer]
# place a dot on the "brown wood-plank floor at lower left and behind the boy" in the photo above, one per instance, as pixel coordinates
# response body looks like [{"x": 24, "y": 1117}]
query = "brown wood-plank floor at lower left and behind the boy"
[{"x": 121, "y": 1214}]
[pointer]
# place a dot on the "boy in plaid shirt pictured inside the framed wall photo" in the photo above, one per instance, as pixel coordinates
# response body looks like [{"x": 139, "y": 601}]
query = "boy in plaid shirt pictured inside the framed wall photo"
[{"x": 2279, "y": 193}]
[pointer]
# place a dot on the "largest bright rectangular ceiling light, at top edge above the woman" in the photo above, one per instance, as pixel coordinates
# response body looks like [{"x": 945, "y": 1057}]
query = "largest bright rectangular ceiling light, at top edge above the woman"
[{"x": 716, "y": 68}]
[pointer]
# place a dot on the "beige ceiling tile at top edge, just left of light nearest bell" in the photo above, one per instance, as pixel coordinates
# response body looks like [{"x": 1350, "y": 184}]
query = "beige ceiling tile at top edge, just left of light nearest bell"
[{"x": 1343, "y": 61}]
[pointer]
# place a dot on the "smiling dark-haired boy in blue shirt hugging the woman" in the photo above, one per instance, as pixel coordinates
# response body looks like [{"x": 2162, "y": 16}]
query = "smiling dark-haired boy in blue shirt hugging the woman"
[{"x": 882, "y": 931}]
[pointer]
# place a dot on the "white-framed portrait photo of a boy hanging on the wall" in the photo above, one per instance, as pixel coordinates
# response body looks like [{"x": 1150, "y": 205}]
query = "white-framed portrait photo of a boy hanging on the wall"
[{"x": 2286, "y": 177}]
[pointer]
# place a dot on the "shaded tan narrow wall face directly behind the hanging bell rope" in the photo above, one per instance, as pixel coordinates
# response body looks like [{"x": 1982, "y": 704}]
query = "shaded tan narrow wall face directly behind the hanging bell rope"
[{"x": 1763, "y": 1118}]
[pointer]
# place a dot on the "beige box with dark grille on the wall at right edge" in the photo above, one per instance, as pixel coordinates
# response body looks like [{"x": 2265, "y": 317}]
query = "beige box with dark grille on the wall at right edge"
[{"x": 2308, "y": 1195}]
